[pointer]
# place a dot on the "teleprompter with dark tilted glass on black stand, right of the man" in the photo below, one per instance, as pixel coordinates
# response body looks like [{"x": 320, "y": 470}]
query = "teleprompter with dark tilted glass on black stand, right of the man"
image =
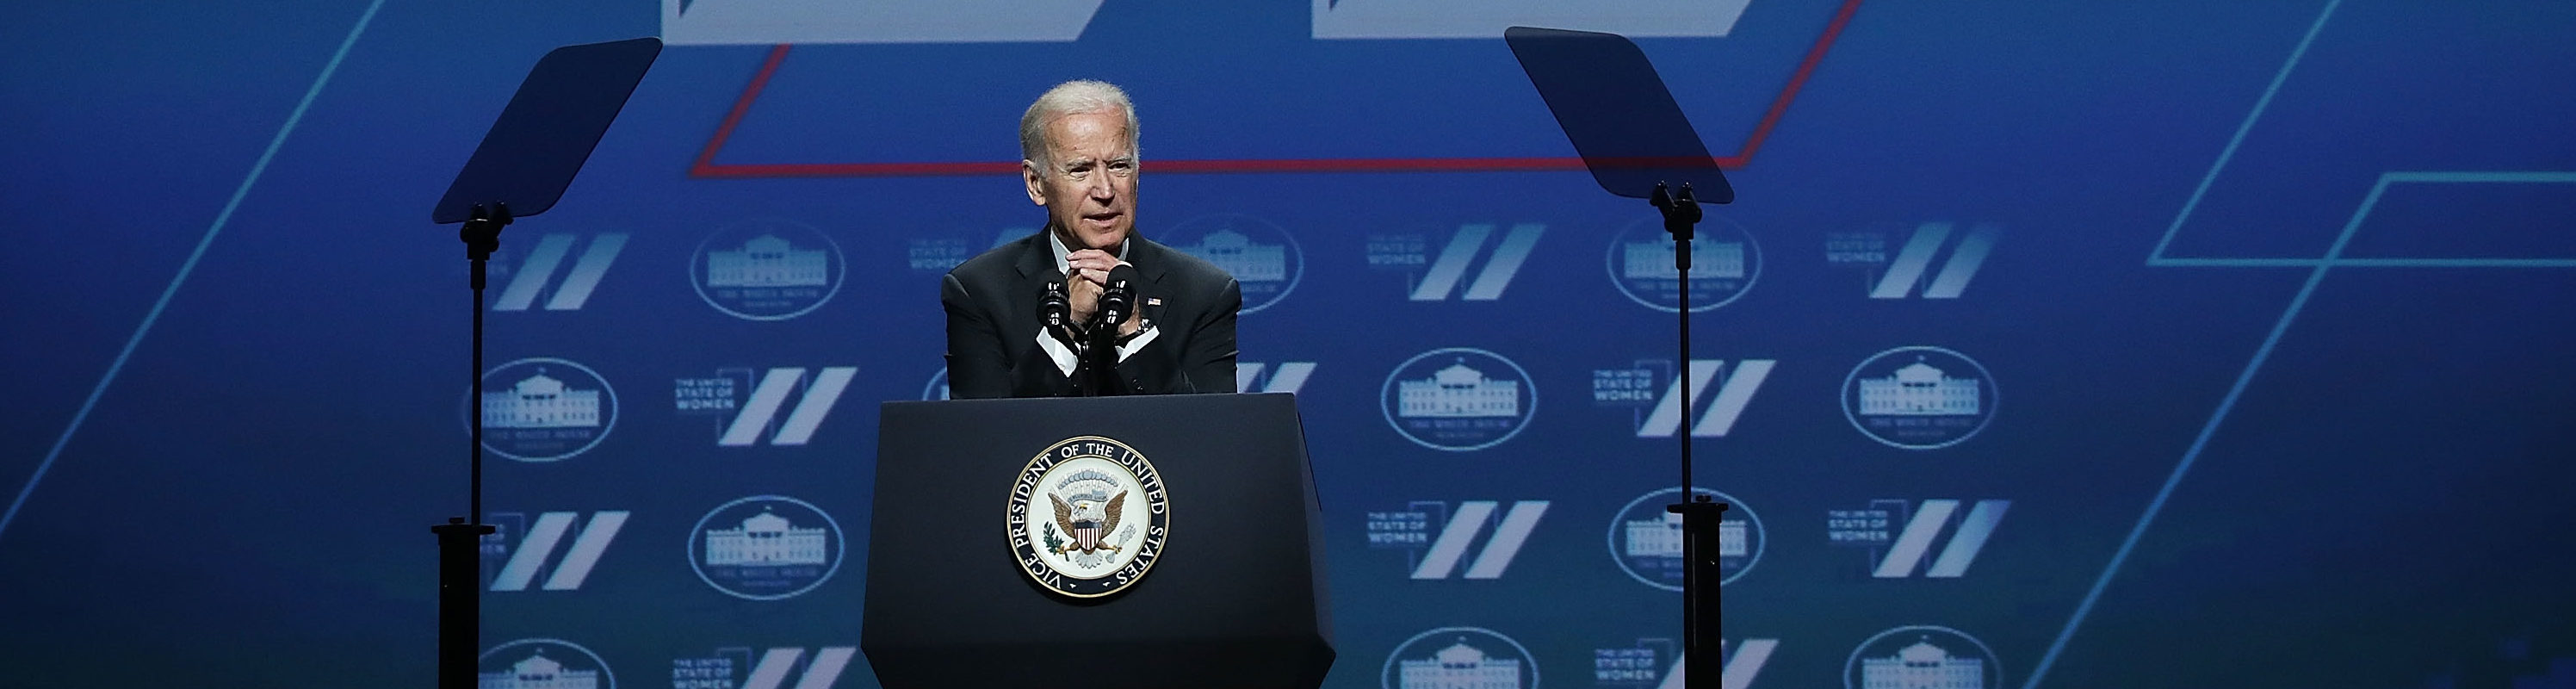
[{"x": 1637, "y": 143}]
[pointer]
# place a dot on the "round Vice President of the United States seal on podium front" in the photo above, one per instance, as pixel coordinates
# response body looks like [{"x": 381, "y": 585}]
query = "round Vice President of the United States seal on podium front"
[{"x": 1088, "y": 517}]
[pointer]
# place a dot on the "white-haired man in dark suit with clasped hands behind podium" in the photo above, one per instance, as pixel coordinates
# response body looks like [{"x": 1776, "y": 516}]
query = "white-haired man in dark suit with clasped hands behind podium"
[{"x": 1078, "y": 148}]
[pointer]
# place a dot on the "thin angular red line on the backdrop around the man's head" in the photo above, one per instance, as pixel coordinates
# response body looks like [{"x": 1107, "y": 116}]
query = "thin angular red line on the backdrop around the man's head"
[{"x": 710, "y": 169}]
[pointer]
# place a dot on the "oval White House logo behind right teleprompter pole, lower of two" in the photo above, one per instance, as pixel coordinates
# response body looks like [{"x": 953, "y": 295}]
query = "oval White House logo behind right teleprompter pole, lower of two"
[{"x": 1647, "y": 541}]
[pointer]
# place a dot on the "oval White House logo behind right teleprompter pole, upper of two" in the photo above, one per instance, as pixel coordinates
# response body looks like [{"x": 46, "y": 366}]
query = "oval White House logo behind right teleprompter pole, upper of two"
[{"x": 1725, "y": 265}]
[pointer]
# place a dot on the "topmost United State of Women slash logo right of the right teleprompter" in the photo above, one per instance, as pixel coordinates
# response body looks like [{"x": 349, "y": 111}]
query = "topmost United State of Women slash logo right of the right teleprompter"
[{"x": 1913, "y": 272}]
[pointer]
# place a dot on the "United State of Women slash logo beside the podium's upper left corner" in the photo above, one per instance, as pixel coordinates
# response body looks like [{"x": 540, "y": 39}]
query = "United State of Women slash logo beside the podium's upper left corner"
[{"x": 756, "y": 417}]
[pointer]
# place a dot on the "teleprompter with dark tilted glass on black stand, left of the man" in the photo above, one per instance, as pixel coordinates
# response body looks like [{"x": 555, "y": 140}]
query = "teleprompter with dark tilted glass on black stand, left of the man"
[{"x": 529, "y": 159}]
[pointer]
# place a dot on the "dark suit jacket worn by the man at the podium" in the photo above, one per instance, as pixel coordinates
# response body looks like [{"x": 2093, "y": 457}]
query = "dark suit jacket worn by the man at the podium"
[{"x": 993, "y": 324}]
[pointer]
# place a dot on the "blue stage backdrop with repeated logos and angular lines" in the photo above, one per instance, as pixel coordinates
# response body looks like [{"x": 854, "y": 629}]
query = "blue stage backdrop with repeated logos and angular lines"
[{"x": 2052, "y": 344}]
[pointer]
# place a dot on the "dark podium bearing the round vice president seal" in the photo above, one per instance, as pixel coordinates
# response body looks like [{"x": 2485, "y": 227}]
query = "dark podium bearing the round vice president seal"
[{"x": 965, "y": 551}]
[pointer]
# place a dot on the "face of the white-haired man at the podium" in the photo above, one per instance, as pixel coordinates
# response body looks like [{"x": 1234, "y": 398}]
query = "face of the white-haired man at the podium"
[{"x": 1088, "y": 185}]
